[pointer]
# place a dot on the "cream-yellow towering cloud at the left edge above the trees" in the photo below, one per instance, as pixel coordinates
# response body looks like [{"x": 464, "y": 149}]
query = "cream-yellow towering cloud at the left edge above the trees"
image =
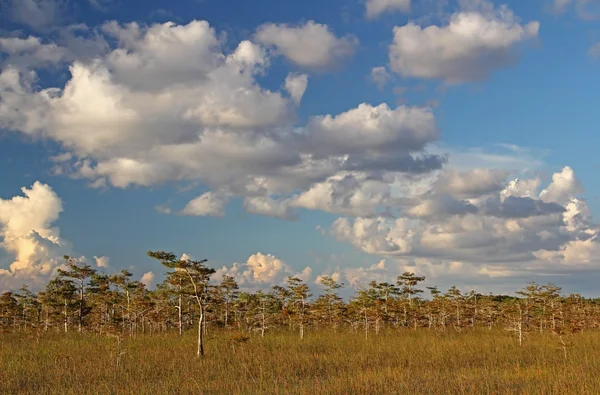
[{"x": 29, "y": 237}]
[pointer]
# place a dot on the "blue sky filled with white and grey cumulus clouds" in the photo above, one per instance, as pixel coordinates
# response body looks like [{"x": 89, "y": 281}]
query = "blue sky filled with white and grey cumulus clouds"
[{"x": 358, "y": 139}]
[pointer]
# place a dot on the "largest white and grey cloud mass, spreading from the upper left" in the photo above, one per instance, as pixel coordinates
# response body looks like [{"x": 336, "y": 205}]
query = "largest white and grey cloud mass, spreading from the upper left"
[{"x": 167, "y": 103}]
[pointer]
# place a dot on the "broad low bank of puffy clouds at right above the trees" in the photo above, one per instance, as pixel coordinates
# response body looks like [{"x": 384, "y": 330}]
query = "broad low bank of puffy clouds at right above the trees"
[{"x": 511, "y": 227}]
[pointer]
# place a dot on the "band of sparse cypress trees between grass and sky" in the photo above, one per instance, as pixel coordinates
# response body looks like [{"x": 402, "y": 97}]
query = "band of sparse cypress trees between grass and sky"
[{"x": 84, "y": 300}]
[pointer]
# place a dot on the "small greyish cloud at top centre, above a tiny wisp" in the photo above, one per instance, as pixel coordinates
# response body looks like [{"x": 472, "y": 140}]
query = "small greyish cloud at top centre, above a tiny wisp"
[{"x": 312, "y": 46}]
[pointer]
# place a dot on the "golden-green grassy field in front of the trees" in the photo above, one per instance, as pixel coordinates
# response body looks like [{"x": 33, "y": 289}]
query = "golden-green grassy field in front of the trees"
[{"x": 396, "y": 361}]
